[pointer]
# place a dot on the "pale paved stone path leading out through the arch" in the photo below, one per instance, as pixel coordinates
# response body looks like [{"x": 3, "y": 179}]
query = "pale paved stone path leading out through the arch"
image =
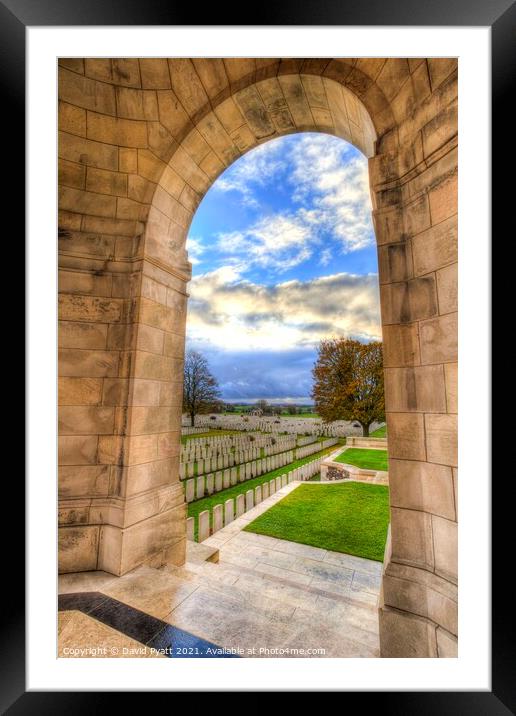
[{"x": 272, "y": 596}]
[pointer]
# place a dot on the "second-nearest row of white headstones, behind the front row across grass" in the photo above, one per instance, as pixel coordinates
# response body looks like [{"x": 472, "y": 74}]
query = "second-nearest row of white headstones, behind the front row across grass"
[{"x": 216, "y": 482}]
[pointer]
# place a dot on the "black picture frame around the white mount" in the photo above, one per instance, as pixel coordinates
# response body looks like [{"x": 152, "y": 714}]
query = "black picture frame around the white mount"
[{"x": 500, "y": 15}]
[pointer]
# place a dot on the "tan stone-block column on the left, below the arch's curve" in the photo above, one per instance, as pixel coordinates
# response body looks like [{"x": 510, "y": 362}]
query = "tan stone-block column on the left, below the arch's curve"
[{"x": 121, "y": 340}]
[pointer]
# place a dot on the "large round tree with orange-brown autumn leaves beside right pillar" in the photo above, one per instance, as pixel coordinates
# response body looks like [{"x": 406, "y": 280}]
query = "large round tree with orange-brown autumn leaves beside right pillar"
[{"x": 348, "y": 382}]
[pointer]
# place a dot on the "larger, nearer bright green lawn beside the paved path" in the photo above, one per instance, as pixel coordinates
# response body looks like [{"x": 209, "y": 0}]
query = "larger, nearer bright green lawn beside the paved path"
[{"x": 352, "y": 518}]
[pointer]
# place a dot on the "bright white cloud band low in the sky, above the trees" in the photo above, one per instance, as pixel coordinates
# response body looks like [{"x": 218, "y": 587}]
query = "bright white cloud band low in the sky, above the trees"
[{"x": 234, "y": 314}]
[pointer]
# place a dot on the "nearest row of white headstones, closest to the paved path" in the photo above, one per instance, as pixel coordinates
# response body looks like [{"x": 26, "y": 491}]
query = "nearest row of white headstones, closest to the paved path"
[{"x": 223, "y": 515}]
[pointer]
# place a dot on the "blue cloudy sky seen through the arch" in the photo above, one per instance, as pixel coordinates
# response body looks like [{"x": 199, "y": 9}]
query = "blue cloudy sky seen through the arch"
[{"x": 283, "y": 255}]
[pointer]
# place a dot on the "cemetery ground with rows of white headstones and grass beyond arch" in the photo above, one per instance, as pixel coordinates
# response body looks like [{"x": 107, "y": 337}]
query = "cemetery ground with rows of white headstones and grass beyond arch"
[{"x": 226, "y": 475}]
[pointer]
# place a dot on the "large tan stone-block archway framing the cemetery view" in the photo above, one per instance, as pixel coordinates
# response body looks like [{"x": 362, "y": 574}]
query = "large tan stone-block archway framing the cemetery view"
[{"x": 140, "y": 143}]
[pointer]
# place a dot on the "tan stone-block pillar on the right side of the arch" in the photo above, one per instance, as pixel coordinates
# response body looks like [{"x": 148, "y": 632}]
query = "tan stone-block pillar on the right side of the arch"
[{"x": 414, "y": 190}]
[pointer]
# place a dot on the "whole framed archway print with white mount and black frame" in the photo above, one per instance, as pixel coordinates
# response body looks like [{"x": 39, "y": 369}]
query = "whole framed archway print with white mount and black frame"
[{"x": 258, "y": 301}]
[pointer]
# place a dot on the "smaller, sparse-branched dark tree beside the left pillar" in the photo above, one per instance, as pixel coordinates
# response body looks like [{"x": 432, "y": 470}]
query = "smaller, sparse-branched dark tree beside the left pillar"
[{"x": 200, "y": 390}]
